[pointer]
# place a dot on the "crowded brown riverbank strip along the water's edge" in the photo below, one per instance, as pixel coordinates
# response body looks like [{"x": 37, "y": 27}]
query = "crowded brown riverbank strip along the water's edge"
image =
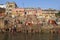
[{"x": 42, "y": 30}]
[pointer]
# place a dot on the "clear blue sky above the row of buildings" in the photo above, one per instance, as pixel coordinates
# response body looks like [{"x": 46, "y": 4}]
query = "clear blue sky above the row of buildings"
[{"x": 44, "y": 4}]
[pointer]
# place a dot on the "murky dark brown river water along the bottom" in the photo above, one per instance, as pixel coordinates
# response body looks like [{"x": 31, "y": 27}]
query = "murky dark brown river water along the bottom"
[{"x": 29, "y": 36}]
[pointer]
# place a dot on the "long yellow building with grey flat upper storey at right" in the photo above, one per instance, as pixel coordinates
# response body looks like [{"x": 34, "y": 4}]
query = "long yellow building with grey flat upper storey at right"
[{"x": 49, "y": 13}]
